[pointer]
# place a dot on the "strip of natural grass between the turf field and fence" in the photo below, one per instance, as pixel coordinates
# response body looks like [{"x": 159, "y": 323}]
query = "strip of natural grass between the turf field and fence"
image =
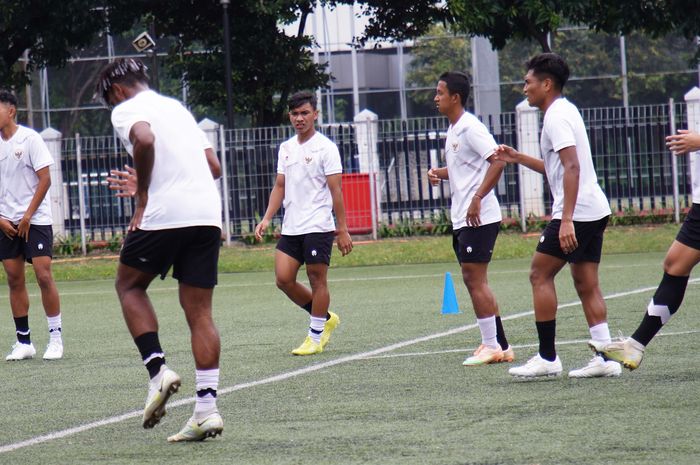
[{"x": 241, "y": 258}]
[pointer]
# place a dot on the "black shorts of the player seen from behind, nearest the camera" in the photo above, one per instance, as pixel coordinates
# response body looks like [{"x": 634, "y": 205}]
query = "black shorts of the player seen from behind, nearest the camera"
[{"x": 193, "y": 252}]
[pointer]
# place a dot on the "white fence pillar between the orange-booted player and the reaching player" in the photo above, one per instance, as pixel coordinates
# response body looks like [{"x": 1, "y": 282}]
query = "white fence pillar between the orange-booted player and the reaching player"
[{"x": 531, "y": 182}]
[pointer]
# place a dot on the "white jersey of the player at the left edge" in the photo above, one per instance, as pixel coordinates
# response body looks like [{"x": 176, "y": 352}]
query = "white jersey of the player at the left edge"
[{"x": 20, "y": 158}]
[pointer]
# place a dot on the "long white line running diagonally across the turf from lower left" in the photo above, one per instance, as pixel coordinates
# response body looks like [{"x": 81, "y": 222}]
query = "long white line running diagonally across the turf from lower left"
[{"x": 284, "y": 376}]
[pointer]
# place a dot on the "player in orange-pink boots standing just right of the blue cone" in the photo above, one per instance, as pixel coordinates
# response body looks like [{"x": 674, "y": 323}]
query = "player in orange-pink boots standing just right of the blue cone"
[{"x": 476, "y": 215}]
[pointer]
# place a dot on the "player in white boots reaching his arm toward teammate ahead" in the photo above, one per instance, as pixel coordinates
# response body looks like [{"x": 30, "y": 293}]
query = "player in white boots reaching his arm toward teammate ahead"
[{"x": 580, "y": 214}]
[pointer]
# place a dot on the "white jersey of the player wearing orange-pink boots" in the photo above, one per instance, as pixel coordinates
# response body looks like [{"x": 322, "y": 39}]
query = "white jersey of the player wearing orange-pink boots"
[{"x": 467, "y": 149}]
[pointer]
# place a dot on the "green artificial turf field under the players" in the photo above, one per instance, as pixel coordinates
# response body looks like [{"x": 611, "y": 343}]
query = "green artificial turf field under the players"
[{"x": 389, "y": 389}]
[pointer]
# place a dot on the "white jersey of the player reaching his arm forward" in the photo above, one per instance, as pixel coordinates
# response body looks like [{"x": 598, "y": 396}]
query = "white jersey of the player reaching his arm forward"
[{"x": 563, "y": 127}]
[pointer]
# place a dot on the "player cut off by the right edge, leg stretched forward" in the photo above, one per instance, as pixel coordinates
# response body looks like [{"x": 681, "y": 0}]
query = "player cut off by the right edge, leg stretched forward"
[{"x": 680, "y": 260}]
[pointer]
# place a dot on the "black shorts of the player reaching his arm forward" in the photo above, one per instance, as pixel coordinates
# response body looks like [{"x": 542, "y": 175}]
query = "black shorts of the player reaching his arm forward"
[{"x": 589, "y": 235}]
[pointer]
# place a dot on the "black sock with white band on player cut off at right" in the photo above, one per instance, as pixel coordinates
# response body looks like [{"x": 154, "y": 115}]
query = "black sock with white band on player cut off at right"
[{"x": 669, "y": 294}]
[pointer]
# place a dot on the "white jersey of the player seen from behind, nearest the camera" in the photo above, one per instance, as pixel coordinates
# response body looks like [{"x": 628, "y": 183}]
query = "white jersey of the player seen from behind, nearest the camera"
[{"x": 182, "y": 192}]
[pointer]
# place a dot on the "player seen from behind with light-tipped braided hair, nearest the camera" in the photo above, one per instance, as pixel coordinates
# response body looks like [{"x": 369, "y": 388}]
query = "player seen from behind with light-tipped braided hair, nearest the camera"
[{"x": 176, "y": 222}]
